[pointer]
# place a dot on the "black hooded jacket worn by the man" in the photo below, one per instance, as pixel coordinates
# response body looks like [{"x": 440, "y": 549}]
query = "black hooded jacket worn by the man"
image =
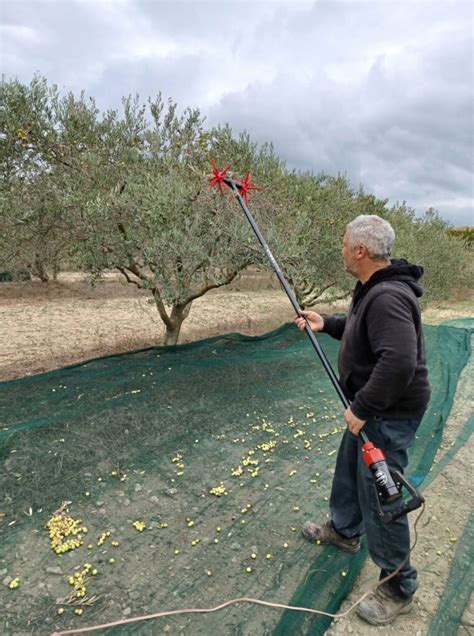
[{"x": 382, "y": 360}]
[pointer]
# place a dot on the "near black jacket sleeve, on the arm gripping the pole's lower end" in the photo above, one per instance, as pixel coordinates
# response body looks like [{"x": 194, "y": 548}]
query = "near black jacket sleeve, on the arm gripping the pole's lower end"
[{"x": 392, "y": 336}]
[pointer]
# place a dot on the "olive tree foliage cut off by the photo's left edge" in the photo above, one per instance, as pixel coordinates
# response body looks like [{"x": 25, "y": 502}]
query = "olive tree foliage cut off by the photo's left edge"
[{"x": 42, "y": 137}]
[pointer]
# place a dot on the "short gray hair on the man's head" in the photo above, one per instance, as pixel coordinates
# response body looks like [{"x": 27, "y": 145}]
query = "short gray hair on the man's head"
[{"x": 376, "y": 234}]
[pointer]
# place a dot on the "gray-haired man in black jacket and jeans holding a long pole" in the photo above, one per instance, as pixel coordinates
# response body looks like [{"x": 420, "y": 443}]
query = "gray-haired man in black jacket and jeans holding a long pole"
[{"x": 383, "y": 373}]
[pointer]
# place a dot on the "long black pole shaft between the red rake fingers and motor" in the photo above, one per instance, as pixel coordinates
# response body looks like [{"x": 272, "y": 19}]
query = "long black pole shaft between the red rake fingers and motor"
[{"x": 317, "y": 347}]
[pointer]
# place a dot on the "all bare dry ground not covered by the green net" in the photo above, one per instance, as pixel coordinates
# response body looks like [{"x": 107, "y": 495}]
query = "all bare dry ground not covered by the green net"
[{"x": 49, "y": 326}]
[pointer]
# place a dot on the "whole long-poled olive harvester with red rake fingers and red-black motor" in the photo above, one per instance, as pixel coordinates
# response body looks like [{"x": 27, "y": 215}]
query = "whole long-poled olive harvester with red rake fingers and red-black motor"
[{"x": 388, "y": 483}]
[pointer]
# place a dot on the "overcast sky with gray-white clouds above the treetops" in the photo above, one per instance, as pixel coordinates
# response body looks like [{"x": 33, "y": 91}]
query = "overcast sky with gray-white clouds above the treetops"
[{"x": 379, "y": 90}]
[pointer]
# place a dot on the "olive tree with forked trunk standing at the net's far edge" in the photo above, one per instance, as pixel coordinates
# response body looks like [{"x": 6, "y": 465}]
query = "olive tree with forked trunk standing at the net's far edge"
[{"x": 154, "y": 218}]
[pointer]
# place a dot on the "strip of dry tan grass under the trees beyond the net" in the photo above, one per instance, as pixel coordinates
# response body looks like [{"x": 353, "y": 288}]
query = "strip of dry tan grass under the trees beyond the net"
[{"x": 46, "y": 326}]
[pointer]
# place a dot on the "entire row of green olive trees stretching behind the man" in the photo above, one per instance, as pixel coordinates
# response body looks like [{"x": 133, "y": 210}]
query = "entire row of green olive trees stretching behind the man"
[{"x": 128, "y": 190}]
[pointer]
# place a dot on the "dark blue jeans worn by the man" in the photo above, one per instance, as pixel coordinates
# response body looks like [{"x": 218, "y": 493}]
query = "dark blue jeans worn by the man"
[{"x": 353, "y": 500}]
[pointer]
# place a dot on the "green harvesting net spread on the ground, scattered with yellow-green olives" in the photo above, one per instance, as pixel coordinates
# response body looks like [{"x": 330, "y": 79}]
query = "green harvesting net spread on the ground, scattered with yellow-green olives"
[{"x": 189, "y": 471}]
